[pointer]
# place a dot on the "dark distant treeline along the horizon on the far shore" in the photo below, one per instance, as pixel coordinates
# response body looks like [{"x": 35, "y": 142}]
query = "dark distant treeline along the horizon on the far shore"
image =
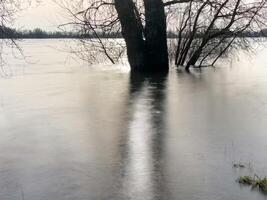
[{"x": 39, "y": 34}]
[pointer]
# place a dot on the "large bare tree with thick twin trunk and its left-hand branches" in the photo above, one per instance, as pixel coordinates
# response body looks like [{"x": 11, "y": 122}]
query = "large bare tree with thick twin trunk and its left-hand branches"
[{"x": 142, "y": 24}]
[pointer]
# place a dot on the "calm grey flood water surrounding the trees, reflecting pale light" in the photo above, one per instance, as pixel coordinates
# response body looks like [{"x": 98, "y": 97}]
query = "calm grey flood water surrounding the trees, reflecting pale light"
[{"x": 74, "y": 132}]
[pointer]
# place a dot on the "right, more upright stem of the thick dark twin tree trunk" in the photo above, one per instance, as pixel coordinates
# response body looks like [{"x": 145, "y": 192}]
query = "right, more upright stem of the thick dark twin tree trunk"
[{"x": 156, "y": 51}]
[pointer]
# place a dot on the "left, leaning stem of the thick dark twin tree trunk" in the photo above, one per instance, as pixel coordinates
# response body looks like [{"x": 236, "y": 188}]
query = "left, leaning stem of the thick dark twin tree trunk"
[{"x": 132, "y": 33}]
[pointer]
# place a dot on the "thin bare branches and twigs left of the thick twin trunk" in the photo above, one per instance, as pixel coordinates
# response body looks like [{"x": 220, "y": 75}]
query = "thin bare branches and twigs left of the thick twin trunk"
[{"x": 95, "y": 22}]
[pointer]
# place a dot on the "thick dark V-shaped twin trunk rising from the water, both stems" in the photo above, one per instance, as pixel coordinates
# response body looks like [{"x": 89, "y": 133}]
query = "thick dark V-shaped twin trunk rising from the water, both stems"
[{"x": 146, "y": 47}]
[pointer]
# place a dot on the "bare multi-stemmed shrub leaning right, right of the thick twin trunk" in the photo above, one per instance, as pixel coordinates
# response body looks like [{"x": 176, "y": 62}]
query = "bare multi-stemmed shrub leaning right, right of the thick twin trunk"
[{"x": 207, "y": 30}]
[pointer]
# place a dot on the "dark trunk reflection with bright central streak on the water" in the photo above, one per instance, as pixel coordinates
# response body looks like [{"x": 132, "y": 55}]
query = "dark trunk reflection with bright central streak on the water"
[{"x": 143, "y": 144}]
